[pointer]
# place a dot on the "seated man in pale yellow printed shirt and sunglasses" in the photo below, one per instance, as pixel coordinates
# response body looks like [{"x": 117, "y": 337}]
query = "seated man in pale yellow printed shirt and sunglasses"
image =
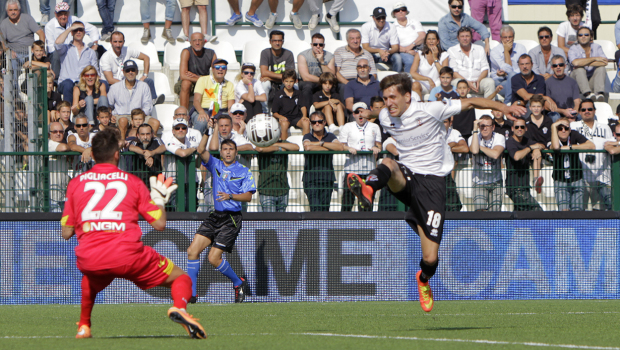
[{"x": 213, "y": 94}]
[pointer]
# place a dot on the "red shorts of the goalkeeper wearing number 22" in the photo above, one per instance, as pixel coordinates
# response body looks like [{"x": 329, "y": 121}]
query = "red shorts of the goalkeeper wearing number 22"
[{"x": 147, "y": 271}]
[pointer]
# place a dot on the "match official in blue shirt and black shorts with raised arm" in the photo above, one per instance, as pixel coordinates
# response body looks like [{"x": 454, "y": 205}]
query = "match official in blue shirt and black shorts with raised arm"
[{"x": 233, "y": 183}]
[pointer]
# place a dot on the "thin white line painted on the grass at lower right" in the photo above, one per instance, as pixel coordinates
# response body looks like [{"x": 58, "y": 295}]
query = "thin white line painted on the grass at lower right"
[{"x": 479, "y": 341}]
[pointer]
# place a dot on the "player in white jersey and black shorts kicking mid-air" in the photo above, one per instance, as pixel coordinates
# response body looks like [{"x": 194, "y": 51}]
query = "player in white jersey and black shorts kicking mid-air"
[{"x": 419, "y": 178}]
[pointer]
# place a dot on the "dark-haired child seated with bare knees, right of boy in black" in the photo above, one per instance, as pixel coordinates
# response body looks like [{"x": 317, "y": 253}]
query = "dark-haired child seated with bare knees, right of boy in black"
[{"x": 328, "y": 102}]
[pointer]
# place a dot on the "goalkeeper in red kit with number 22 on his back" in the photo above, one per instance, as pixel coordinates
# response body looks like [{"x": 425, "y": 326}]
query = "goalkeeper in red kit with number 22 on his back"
[{"x": 102, "y": 211}]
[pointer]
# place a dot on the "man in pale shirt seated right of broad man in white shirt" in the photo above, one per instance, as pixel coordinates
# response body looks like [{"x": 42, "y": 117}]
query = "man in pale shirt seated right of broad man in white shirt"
[{"x": 504, "y": 63}]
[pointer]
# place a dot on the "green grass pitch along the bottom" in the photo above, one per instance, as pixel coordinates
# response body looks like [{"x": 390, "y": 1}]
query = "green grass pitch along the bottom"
[{"x": 574, "y": 324}]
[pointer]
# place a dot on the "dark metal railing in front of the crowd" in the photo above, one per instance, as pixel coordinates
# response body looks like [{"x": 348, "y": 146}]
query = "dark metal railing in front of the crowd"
[{"x": 305, "y": 181}]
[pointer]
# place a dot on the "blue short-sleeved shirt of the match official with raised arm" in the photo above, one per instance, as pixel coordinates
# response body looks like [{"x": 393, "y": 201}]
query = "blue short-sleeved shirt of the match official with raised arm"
[{"x": 232, "y": 179}]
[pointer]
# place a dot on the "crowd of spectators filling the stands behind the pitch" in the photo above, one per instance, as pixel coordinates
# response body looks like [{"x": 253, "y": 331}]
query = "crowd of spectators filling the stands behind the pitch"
[{"x": 322, "y": 91}]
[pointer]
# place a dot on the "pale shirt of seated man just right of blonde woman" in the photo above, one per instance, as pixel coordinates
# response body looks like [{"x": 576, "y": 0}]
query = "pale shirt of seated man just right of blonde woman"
[{"x": 123, "y": 100}]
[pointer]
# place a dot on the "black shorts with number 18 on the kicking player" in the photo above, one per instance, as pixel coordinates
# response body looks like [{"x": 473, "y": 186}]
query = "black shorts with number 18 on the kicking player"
[{"x": 425, "y": 195}]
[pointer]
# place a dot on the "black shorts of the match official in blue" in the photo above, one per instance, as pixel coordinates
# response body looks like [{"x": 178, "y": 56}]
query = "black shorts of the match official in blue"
[{"x": 222, "y": 228}]
